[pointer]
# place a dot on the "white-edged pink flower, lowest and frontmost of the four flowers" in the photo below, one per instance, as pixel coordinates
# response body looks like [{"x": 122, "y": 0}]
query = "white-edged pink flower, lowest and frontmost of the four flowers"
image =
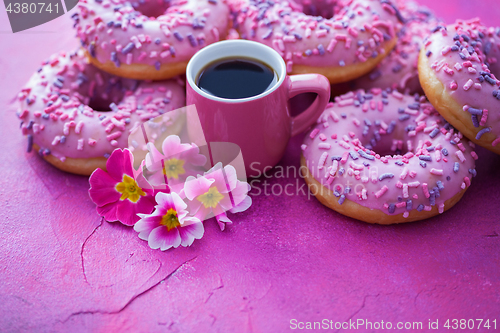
[{"x": 169, "y": 225}]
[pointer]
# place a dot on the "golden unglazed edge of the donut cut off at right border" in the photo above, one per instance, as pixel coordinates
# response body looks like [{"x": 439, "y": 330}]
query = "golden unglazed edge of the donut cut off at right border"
[{"x": 448, "y": 107}]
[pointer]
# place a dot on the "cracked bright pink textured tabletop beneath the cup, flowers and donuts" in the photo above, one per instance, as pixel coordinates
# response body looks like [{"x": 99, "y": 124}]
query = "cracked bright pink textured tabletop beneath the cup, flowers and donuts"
[{"x": 287, "y": 257}]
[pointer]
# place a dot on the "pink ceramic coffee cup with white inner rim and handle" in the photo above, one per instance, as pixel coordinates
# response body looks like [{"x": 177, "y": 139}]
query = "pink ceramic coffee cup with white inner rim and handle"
[{"x": 260, "y": 125}]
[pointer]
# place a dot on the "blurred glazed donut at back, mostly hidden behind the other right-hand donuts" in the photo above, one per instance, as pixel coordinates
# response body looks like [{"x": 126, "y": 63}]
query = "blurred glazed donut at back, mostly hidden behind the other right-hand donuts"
[{"x": 399, "y": 69}]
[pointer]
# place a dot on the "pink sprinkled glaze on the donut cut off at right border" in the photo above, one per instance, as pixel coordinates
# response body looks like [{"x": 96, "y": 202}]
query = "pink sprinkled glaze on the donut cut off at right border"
[{"x": 465, "y": 58}]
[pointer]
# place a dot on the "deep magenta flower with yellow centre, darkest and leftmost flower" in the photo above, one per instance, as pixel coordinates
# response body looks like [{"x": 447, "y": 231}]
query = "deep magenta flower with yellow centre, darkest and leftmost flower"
[{"x": 121, "y": 192}]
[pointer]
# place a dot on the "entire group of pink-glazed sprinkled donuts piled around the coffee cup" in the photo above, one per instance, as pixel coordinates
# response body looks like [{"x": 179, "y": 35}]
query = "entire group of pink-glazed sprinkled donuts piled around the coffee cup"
[{"x": 392, "y": 146}]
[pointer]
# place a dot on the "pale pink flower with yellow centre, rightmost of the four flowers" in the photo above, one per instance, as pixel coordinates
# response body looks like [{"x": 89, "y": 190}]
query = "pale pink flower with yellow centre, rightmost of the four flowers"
[{"x": 217, "y": 192}]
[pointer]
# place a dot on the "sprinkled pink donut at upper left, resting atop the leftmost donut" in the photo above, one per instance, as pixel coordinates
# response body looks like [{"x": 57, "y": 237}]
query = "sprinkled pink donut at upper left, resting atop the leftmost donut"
[{"x": 148, "y": 39}]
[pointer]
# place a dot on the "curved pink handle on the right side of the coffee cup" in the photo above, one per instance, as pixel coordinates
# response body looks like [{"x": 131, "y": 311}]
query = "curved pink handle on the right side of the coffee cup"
[{"x": 304, "y": 83}]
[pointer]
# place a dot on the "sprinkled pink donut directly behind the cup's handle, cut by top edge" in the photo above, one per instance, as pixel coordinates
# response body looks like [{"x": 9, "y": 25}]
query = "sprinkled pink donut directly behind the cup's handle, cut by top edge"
[{"x": 342, "y": 48}]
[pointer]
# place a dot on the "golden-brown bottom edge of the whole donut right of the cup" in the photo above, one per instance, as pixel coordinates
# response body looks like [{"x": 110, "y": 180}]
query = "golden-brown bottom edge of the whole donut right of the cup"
[{"x": 374, "y": 216}]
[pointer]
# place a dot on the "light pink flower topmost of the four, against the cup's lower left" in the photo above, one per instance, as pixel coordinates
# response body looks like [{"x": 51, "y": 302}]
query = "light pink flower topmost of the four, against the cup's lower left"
[{"x": 178, "y": 161}]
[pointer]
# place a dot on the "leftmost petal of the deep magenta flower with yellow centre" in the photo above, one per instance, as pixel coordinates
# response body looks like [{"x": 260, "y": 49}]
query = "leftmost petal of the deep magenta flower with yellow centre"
[{"x": 102, "y": 188}]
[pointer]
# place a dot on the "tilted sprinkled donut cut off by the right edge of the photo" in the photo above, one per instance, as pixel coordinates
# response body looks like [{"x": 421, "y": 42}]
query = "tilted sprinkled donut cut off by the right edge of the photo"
[{"x": 458, "y": 71}]
